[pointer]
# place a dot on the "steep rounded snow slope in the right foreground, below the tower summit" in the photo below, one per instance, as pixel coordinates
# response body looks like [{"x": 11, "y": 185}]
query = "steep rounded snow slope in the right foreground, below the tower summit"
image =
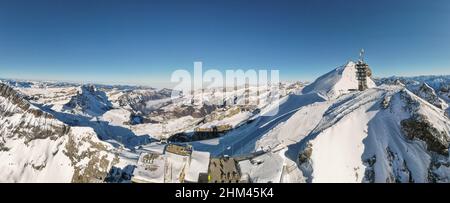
[{"x": 360, "y": 139}]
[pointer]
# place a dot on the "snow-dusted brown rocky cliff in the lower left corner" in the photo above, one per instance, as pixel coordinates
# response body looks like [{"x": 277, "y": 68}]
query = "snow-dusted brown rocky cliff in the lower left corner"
[{"x": 36, "y": 147}]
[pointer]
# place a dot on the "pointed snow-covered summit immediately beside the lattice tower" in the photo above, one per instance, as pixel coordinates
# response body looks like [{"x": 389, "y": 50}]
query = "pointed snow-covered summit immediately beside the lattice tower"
[{"x": 337, "y": 82}]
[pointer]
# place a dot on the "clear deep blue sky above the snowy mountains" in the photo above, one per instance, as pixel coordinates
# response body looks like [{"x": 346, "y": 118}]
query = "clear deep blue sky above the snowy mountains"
[{"x": 142, "y": 42}]
